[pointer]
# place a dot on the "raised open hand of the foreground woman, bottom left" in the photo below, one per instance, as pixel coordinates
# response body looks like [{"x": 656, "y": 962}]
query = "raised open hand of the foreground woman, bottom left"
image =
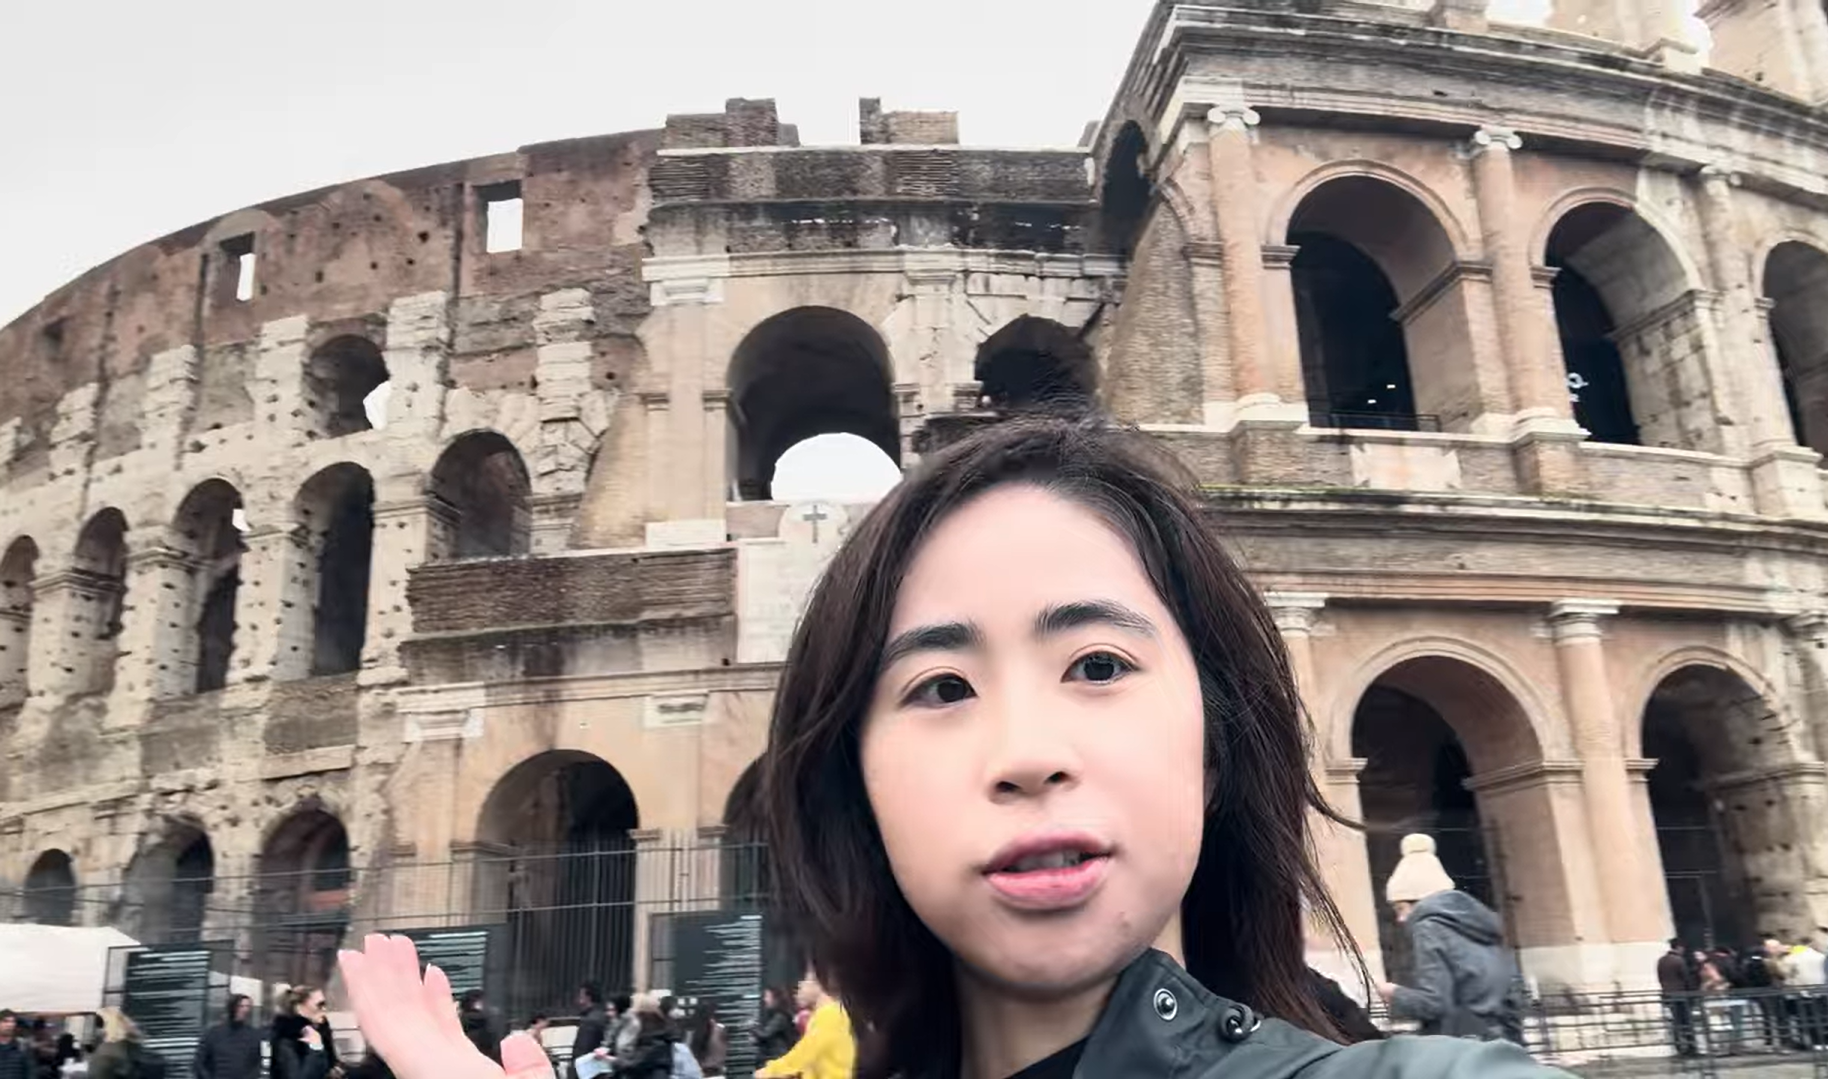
[{"x": 412, "y": 1021}]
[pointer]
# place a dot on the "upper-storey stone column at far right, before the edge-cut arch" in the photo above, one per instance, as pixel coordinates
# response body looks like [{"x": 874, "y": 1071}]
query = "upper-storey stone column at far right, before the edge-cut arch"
[{"x": 1785, "y": 476}]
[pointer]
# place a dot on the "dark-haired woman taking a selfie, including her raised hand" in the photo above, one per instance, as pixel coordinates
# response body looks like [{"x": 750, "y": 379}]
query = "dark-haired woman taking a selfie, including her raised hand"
[{"x": 1037, "y": 789}]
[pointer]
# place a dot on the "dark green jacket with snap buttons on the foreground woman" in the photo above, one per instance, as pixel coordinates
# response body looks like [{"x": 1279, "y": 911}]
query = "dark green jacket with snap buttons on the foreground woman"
[{"x": 1164, "y": 1025}]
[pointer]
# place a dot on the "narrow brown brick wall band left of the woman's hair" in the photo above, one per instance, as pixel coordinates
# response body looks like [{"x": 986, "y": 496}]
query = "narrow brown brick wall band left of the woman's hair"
[{"x": 599, "y": 590}]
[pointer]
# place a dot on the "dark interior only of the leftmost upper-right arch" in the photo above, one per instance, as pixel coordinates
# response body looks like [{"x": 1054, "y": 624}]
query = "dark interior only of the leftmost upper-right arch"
[{"x": 1355, "y": 363}]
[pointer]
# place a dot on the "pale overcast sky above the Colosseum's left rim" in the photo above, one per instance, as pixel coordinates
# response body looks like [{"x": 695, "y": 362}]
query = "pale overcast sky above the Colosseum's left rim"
[{"x": 125, "y": 120}]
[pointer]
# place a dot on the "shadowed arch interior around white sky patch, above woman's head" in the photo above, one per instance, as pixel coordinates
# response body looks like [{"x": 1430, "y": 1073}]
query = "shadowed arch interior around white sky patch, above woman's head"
[{"x": 802, "y": 374}]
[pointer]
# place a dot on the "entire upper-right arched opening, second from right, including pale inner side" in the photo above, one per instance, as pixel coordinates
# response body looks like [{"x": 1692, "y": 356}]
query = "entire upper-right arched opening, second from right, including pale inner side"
[{"x": 1631, "y": 350}]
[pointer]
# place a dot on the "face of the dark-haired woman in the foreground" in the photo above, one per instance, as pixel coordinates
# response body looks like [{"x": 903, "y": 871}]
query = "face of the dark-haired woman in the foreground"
[{"x": 1036, "y": 745}]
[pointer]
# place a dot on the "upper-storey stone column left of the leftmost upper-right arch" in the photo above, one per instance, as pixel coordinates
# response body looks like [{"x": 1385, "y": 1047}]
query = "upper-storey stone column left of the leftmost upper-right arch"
[{"x": 1266, "y": 376}]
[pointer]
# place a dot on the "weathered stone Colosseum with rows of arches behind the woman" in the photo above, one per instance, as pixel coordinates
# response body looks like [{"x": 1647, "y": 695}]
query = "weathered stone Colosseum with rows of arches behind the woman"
[{"x": 367, "y": 564}]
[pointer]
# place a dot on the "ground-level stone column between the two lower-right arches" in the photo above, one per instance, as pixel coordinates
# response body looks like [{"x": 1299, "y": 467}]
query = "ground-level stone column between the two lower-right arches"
[{"x": 1637, "y": 913}]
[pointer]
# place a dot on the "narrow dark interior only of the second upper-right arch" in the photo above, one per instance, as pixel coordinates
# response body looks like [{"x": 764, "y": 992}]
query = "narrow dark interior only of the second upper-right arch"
[{"x": 1597, "y": 372}]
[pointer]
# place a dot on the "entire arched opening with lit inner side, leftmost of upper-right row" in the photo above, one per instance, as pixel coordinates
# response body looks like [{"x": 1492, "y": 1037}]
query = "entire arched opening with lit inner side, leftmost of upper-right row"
[{"x": 1383, "y": 345}]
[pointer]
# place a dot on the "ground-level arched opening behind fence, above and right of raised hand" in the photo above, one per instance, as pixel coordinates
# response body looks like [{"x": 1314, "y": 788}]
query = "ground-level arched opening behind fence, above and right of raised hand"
[{"x": 564, "y": 873}]
